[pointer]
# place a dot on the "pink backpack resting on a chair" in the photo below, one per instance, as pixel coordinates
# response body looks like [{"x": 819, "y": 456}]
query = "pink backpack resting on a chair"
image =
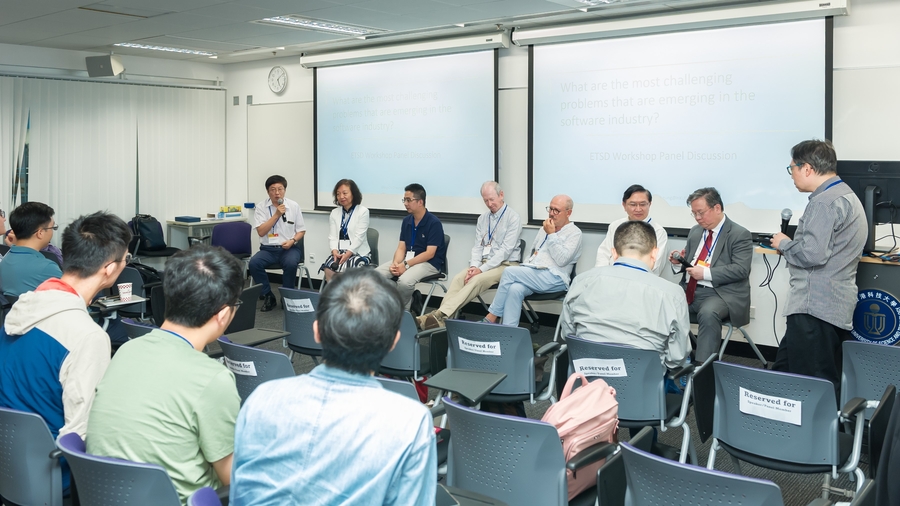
[{"x": 583, "y": 418}]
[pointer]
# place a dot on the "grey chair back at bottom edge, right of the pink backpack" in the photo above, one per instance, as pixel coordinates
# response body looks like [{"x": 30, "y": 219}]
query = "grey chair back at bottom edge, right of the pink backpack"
[{"x": 655, "y": 480}]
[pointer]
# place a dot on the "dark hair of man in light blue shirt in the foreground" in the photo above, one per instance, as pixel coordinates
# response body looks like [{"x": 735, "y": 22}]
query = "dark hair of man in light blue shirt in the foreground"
[{"x": 359, "y": 315}]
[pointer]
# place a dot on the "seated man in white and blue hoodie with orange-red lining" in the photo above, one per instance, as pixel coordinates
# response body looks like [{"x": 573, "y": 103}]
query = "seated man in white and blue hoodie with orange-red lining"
[{"x": 52, "y": 355}]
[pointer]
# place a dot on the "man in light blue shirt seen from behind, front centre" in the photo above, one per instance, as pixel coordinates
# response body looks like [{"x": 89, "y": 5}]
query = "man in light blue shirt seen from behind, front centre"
[{"x": 335, "y": 436}]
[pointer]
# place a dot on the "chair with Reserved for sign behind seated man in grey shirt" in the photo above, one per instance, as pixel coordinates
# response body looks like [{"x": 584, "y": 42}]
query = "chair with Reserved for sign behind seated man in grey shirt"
[{"x": 639, "y": 379}]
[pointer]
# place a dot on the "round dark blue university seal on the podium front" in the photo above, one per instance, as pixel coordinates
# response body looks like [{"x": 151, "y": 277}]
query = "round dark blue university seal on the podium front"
[{"x": 876, "y": 318}]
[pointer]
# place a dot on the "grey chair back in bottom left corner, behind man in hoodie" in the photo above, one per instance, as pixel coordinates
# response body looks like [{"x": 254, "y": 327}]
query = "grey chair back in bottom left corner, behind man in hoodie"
[{"x": 29, "y": 474}]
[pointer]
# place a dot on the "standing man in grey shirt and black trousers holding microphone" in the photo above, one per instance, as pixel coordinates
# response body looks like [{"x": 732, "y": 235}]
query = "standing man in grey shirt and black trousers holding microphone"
[{"x": 822, "y": 259}]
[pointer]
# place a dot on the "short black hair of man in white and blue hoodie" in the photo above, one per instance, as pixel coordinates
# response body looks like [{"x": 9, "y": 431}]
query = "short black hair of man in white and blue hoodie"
[{"x": 93, "y": 241}]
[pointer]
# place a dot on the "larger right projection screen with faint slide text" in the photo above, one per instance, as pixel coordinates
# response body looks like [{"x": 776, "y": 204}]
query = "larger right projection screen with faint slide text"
[{"x": 676, "y": 112}]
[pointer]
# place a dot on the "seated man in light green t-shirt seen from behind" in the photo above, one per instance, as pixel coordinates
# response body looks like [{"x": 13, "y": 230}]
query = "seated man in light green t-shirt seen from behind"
[{"x": 162, "y": 400}]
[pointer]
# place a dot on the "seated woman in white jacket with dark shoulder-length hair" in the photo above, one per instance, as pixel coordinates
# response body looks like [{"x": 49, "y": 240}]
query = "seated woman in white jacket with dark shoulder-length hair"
[{"x": 348, "y": 226}]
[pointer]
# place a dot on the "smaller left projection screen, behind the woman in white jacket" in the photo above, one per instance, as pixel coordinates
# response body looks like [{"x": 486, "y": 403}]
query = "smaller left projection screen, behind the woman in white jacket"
[{"x": 425, "y": 120}]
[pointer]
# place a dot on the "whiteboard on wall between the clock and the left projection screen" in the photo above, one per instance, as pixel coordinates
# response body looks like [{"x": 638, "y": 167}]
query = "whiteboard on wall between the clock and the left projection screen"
[{"x": 279, "y": 141}]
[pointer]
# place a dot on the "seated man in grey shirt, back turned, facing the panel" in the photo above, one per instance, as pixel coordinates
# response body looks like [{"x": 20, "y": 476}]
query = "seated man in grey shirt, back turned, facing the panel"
[{"x": 627, "y": 303}]
